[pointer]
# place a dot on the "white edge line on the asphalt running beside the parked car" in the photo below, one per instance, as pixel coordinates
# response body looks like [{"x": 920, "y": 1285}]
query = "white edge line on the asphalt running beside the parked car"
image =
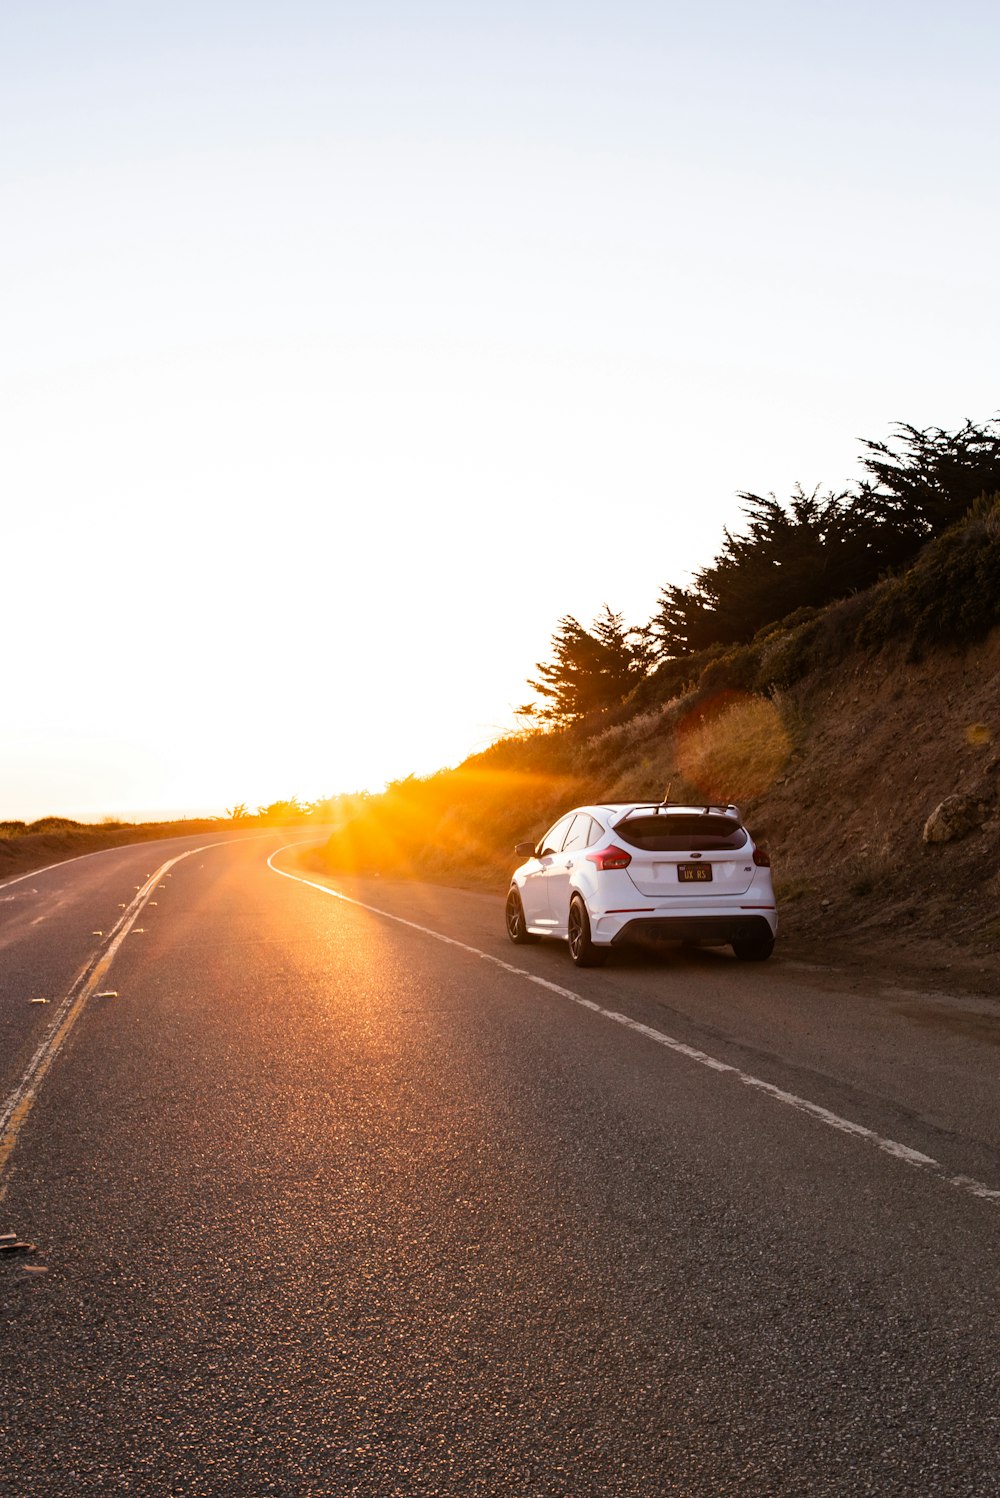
[{"x": 888, "y": 1147}]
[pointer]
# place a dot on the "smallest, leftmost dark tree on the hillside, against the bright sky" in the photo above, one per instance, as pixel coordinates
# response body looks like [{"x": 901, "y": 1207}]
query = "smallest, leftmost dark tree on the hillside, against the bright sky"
[{"x": 592, "y": 670}]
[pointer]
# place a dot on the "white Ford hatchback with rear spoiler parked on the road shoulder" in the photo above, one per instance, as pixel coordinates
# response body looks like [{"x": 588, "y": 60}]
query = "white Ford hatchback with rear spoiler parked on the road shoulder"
[{"x": 606, "y": 876}]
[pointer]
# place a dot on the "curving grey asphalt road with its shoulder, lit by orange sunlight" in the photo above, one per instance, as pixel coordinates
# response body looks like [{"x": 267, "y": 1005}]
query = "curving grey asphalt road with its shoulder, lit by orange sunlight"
[{"x": 359, "y": 1199}]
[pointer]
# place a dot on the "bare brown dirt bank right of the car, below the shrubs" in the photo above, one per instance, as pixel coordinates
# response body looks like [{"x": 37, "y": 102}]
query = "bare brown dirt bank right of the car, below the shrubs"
[{"x": 876, "y": 748}]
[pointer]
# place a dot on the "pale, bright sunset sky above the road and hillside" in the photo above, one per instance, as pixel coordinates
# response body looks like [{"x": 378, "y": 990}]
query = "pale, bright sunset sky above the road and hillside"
[{"x": 348, "y": 348}]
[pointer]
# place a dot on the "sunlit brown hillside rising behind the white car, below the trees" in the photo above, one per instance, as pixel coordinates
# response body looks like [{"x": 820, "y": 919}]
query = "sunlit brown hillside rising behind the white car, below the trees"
[{"x": 838, "y": 733}]
